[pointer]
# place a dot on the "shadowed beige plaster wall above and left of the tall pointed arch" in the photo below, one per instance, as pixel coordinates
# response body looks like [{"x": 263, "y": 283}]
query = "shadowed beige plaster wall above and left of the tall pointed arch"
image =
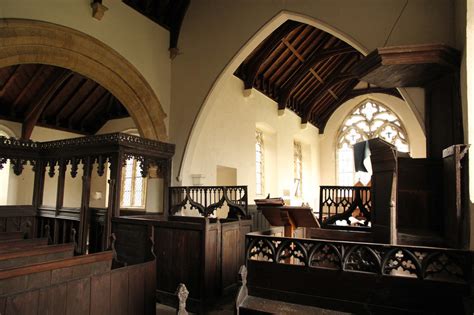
[{"x": 216, "y": 34}]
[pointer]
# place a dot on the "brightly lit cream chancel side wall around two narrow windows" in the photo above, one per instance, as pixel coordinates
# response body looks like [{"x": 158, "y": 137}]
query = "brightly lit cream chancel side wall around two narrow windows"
[{"x": 228, "y": 138}]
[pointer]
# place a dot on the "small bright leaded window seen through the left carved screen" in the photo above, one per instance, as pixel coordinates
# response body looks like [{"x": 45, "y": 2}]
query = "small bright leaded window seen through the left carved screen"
[{"x": 133, "y": 185}]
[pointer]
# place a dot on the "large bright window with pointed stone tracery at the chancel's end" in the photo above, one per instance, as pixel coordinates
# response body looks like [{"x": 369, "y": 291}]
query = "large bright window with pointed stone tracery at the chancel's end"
[{"x": 367, "y": 121}]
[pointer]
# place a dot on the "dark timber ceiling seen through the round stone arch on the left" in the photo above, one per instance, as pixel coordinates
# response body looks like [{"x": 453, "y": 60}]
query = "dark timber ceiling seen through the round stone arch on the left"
[{"x": 54, "y": 97}]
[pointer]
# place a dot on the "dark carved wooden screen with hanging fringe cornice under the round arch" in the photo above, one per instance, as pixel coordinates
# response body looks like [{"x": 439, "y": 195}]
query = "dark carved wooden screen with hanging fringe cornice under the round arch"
[{"x": 89, "y": 227}]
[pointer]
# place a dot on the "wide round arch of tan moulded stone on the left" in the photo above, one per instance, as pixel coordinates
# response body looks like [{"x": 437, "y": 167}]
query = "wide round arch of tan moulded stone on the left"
[{"x": 28, "y": 41}]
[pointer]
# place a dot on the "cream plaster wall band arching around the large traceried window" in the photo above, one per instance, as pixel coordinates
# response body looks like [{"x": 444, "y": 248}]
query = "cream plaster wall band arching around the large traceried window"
[{"x": 415, "y": 133}]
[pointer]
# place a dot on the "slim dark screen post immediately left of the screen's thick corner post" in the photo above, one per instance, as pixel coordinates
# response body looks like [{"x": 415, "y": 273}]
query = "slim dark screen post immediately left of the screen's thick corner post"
[{"x": 85, "y": 197}]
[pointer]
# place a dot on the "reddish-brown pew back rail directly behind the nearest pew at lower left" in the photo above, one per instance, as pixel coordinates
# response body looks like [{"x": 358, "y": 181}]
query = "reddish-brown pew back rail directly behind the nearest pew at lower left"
[{"x": 57, "y": 264}]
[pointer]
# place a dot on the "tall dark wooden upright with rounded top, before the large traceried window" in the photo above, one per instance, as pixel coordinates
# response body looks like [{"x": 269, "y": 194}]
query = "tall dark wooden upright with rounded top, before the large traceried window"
[{"x": 384, "y": 186}]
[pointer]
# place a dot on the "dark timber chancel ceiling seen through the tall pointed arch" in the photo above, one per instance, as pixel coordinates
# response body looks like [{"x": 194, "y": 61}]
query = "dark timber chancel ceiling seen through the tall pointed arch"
[{"x": 306, "y": 70}]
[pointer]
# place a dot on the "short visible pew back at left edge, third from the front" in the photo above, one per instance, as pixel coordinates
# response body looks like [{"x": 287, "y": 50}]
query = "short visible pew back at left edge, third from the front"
[{"x": 28, "y": 256}]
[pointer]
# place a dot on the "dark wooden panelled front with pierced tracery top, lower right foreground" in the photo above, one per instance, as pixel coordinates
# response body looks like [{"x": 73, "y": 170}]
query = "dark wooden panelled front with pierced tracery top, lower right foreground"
[{"x": 358, "y": 277}]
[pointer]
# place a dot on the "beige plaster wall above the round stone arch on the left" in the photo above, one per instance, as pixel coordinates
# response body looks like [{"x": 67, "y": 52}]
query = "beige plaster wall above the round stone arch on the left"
[{"x": 141, "y": 41}]
